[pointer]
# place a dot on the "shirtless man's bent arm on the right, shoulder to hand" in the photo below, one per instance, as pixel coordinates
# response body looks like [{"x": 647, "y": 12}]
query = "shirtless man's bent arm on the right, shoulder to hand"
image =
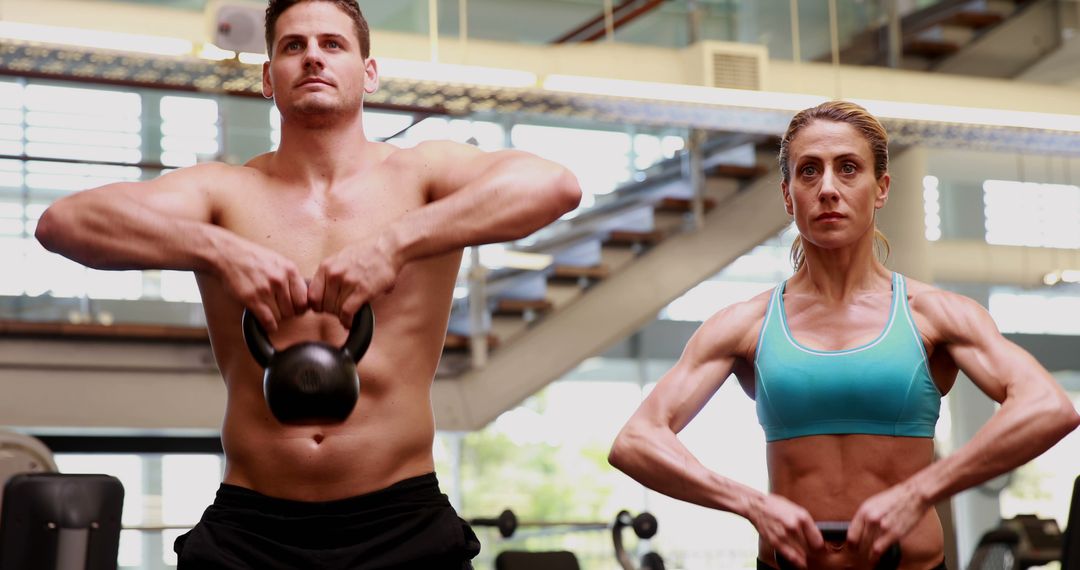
[{"x": 474, "y": 198}]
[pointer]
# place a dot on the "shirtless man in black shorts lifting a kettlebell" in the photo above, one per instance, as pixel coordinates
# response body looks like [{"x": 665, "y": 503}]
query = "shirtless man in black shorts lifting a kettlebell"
[{"x": 366, "y": 223}]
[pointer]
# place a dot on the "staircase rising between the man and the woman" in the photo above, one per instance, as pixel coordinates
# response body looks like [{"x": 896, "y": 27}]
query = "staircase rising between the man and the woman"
[{"x": 612, "y": 269}]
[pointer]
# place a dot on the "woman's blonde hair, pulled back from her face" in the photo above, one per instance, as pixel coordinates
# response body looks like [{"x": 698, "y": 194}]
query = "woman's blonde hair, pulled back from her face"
[{"x": 869, "y": 127}]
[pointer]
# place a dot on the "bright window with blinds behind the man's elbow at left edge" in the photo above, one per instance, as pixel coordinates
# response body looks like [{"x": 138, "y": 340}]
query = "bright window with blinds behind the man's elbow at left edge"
[{"x": 64, "y": 133}]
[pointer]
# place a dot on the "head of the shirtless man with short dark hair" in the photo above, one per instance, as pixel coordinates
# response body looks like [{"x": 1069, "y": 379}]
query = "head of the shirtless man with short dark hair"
[{"x": 316, "y": 71}]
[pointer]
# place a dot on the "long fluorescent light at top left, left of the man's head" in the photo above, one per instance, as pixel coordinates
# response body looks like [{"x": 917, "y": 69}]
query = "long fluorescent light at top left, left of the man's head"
[{"x": 104, "y": 40}]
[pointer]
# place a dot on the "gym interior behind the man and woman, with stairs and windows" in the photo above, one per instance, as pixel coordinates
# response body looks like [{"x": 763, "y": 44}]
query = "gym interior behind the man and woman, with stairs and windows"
[{"x": 670, "y": 114}]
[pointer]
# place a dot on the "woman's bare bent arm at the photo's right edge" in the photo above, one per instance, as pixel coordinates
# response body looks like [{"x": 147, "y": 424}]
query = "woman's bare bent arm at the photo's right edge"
[{"x": 1035, "y": 414}]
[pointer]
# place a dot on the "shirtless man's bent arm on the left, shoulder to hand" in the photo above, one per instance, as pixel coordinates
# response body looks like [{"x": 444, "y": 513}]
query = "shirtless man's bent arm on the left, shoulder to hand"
[{"x": 169, "y": 224}]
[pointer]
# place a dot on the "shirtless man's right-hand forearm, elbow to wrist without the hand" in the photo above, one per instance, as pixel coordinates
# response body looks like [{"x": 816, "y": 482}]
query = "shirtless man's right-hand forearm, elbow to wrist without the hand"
[{"x": 512, "y": 200}]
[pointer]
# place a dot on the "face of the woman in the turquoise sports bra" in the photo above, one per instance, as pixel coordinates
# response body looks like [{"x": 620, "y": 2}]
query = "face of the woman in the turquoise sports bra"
[{"x": 833, "y": 193}]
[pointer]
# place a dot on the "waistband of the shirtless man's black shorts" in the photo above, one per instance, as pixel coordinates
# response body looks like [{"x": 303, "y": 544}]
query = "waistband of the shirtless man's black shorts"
[{"x": 423, "y": 491}]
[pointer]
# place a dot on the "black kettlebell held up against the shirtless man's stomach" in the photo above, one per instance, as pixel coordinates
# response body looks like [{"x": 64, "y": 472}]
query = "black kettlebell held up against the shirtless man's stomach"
[{"x": 312, "y": 382}]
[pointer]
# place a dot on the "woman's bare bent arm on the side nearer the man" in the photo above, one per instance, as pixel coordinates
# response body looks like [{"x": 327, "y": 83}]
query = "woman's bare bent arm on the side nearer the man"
[{"x": 649, "y": 450}]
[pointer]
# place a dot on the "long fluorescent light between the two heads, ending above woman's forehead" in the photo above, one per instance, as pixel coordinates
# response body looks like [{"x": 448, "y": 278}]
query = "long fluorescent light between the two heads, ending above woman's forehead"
[{"x": 680, "y": 93}]
